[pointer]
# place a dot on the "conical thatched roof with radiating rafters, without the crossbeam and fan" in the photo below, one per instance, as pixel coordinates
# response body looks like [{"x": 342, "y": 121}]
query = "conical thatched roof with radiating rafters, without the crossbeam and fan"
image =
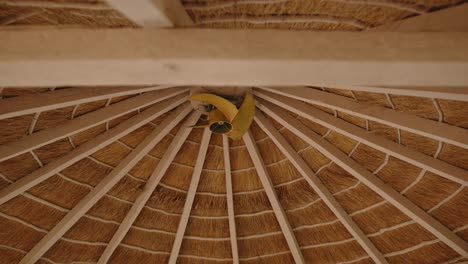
[{"x": 345, "y": 174}]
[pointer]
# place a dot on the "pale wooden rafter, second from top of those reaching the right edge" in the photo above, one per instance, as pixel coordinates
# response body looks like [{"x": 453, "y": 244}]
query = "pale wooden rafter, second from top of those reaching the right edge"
[{"x": 418, "y": 125}]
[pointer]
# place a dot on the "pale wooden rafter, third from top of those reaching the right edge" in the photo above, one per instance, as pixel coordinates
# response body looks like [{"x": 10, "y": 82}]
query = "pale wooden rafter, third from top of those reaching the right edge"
[{"x": 387, "y": 146}]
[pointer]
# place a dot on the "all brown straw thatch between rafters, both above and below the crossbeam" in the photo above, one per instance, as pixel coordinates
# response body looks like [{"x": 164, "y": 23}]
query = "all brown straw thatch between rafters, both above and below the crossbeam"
[{"x": 321, "y": 236}]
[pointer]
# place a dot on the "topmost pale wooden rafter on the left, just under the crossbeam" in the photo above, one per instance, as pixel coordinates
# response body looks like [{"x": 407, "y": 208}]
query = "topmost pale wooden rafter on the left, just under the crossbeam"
[{"x": 34, "y": 103}]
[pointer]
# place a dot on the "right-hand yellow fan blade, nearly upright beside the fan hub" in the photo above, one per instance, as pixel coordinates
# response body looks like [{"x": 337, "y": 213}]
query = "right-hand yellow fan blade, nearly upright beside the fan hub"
[{"x": 244, "y": 118}]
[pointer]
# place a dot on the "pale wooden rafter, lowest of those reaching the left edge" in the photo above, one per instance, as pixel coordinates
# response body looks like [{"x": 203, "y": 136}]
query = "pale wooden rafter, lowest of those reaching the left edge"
[{"x": 87, "y": 149}]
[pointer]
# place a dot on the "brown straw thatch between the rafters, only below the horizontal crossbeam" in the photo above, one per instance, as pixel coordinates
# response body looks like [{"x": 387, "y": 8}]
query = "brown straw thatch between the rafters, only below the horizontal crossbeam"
[{"x": 321, "y": 236}]
